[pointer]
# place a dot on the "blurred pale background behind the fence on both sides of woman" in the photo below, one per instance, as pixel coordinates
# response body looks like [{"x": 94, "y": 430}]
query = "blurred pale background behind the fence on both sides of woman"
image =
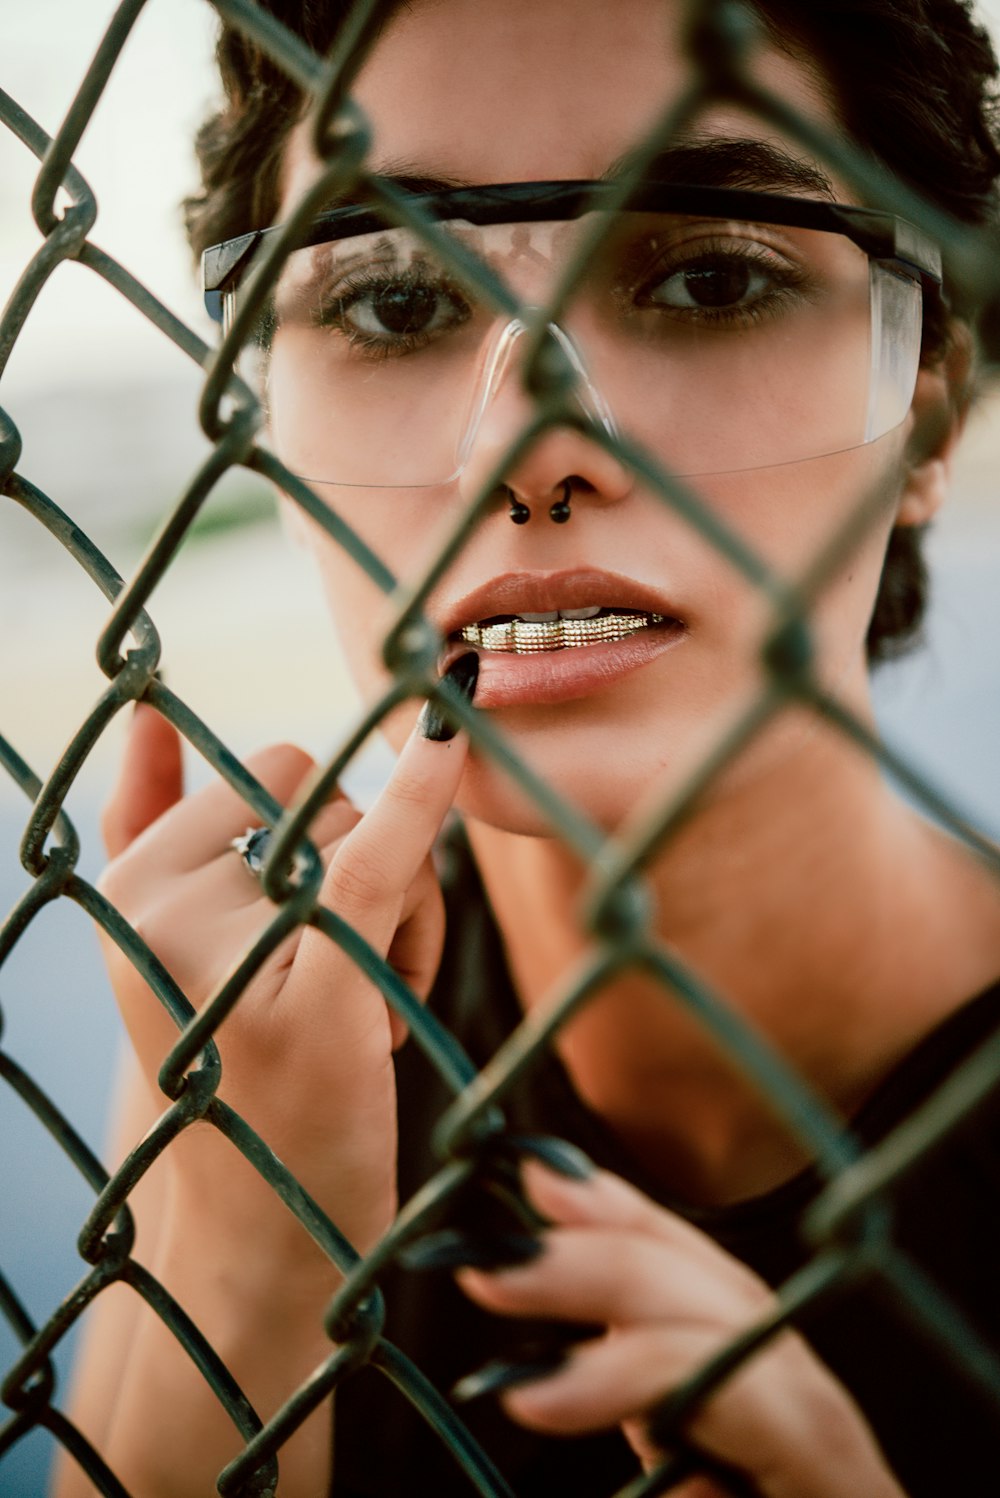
[{"x": 107, "y": 413}]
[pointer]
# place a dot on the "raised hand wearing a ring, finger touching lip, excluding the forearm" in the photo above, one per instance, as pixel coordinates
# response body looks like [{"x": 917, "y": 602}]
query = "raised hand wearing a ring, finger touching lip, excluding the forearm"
[{"x": 308, "y": 1049}]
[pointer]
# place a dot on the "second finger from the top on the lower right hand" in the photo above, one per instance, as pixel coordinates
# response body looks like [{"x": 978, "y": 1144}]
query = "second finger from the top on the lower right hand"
[{"x": 619, "y": 1280}]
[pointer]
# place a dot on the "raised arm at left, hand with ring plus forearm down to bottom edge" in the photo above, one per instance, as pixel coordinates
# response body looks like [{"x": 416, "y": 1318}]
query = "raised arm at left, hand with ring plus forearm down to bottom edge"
[{"x": 308, "y": 1063}]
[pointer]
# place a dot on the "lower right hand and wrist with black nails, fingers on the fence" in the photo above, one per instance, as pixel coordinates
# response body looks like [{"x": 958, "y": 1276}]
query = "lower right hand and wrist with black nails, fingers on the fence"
[{"x": 670, "y": 1300}]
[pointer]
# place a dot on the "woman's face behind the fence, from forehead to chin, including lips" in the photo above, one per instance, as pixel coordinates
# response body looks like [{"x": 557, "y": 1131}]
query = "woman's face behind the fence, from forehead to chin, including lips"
[{"x": 540, "y": 91}]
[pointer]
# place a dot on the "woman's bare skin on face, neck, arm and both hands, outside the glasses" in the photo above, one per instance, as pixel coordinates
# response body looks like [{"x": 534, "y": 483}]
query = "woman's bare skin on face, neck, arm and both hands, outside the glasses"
[{"x": 884, "y": 924}]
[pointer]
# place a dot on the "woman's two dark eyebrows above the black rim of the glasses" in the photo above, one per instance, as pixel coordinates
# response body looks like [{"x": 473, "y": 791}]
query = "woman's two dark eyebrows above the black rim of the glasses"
[{"x": 707, "y": 161}]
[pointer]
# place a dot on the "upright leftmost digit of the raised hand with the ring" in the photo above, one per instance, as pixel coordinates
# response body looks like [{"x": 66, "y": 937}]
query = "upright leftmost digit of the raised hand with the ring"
[{"x": 150, "y": 780}]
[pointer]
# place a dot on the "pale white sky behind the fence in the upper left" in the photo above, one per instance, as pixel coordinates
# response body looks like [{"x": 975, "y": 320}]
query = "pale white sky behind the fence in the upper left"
[{"x": 137, "y": 157}]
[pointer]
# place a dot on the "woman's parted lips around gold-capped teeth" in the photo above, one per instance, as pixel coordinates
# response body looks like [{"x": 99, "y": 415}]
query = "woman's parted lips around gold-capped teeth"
[{"x": 552, "y": 637}]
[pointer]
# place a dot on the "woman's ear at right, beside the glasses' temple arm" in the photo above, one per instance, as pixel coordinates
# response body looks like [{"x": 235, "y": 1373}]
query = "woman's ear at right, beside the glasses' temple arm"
[{"x": 941, "y": 405}]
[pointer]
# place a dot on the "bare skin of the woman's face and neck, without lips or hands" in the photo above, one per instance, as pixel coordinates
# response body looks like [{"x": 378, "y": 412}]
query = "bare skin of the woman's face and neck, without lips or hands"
[{"x": 622, "y": 751}]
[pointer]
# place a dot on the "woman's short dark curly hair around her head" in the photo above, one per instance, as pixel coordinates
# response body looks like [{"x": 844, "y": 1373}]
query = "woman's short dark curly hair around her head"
[{"x": 914, "y": 80}]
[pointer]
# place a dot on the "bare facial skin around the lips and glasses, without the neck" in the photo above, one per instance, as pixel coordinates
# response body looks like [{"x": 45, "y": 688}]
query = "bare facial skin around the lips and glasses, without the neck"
[{"x": 625, "y": 83}]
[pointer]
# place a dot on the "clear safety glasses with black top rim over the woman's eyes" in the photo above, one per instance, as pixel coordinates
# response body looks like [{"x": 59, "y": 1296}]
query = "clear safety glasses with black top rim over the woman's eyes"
[{"x": 724, "y": 330}]
